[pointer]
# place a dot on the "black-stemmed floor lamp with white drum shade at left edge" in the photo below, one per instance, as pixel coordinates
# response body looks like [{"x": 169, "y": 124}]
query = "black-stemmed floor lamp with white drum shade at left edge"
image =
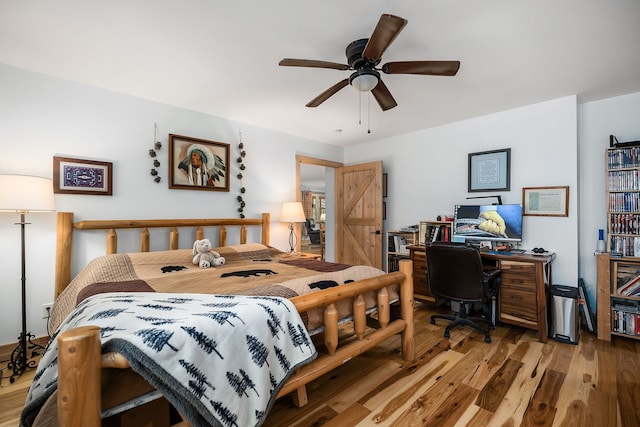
[{"x": 24, "y": 194}]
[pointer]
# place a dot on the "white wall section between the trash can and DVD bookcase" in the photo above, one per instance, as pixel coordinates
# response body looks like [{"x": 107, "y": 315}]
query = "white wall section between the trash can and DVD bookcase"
[{"x": 617, "y": 116}]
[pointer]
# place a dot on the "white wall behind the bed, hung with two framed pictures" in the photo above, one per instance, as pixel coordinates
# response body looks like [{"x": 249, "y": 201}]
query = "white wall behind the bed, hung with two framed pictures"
[{"x": 42, "y": 116}]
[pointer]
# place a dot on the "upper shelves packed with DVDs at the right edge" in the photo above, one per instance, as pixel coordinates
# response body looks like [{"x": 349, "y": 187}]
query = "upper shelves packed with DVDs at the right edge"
[{"x": 623, "y": 197}]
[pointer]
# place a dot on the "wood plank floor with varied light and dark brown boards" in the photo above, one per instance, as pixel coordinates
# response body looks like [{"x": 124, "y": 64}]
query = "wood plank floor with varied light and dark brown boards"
[{"x": 514, "y": 381}]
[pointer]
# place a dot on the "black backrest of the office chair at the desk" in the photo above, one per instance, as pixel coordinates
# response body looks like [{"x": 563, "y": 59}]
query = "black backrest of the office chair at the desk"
[{"x": 454, "y": 271}]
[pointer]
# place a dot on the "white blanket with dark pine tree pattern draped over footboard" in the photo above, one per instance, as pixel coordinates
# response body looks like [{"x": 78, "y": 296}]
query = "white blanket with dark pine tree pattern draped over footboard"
[{"x": 220, "y": 360}]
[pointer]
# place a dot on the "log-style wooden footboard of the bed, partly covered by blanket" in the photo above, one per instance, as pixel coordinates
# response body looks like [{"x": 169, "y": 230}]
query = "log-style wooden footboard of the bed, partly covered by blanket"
[{"x": 80, "y": 361}]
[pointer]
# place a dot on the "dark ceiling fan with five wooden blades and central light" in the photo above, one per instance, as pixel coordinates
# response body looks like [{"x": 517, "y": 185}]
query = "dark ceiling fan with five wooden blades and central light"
[{"x": 364, "y": 55}]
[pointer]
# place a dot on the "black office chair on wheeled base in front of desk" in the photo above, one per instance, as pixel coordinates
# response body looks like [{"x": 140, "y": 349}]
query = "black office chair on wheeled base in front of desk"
[{"x": 455, "y": 272}]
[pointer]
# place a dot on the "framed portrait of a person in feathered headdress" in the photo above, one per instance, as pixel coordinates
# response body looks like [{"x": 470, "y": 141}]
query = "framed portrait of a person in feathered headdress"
[{"x": 198, "y": 164}]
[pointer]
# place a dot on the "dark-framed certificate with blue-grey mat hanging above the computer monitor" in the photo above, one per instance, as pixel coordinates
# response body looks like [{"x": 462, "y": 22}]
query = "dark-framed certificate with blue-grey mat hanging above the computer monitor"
[{"x": 490, "y": 170}]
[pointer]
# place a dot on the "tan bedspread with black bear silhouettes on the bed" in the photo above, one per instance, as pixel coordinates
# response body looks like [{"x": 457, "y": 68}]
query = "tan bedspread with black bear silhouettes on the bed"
[{"x": 251, "y": 269}]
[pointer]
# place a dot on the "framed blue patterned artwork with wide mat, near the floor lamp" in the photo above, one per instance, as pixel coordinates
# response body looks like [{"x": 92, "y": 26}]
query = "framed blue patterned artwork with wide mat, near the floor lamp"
[{"x": 78, "y": 176}]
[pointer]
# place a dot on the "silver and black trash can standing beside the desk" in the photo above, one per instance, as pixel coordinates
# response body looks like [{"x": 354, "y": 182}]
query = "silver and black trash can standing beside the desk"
[{"x": 565, "y": 321}]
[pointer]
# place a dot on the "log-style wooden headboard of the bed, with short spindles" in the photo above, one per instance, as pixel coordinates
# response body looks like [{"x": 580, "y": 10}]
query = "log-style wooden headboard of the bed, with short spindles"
[{"x": 66, "y": 228}]
